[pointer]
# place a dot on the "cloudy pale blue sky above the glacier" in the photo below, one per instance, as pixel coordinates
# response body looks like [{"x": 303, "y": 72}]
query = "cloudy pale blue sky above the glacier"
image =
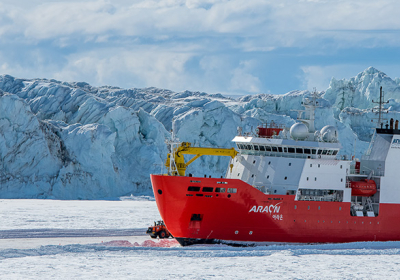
[{"x": 231, "y": 47}]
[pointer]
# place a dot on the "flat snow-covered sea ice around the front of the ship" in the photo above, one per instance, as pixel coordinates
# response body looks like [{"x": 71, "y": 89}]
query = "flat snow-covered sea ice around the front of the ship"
[{"x": 138, "y": 257}]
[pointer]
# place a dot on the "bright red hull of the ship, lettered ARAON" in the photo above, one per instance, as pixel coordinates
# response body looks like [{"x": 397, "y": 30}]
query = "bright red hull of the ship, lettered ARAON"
[{"x": 249, "y": 216}]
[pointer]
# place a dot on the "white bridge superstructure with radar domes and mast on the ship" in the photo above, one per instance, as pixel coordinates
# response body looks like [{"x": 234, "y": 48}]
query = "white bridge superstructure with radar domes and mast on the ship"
[{"x": 299, "y": 160}]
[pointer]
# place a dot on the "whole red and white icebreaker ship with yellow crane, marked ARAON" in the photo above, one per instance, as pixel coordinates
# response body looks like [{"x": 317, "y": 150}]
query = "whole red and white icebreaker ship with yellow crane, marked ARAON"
[{"x": 290, "y": 187}]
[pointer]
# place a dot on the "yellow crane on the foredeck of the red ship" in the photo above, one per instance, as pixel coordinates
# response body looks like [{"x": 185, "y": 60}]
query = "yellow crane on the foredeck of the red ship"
[{"x": 178, "y": 165}]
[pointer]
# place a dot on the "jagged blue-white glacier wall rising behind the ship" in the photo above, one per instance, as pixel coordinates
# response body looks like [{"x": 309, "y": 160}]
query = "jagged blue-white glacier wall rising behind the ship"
[{"x": 75, "y": 141}]
